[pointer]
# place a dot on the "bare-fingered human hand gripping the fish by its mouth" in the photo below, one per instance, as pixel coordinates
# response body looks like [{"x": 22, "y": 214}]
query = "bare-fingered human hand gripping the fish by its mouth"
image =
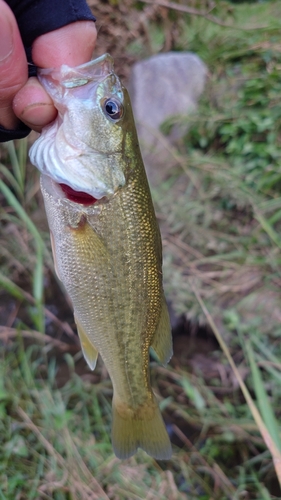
[{"x": 23, "y": 98}]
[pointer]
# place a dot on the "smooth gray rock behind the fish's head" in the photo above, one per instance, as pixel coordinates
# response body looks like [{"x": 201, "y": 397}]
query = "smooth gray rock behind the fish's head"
[{"x": 162, "y": 86}]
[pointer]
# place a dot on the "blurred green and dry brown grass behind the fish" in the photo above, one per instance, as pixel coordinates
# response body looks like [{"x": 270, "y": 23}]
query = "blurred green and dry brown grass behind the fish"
[{"x": 220, "y": 212}]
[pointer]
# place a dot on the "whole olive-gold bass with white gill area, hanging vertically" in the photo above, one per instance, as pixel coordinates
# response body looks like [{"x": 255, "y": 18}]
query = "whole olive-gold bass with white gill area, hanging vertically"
[{"x": 106, "y": 242}]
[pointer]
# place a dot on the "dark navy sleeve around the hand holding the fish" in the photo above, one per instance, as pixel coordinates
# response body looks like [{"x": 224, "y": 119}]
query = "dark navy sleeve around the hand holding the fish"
[{"x": 35, "y": 18}]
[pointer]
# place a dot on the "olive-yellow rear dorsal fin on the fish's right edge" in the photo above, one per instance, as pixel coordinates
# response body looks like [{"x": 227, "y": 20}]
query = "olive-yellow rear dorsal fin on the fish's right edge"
[{"x": 162, "y": 340}]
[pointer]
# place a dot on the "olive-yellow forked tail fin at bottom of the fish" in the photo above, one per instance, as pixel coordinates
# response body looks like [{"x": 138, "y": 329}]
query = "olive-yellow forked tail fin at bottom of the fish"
[{"x": 143, "y": 428}]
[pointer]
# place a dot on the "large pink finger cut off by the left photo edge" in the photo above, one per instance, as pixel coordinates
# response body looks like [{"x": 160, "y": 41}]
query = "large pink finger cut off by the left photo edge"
[{"x": 13, "y": 65}]
